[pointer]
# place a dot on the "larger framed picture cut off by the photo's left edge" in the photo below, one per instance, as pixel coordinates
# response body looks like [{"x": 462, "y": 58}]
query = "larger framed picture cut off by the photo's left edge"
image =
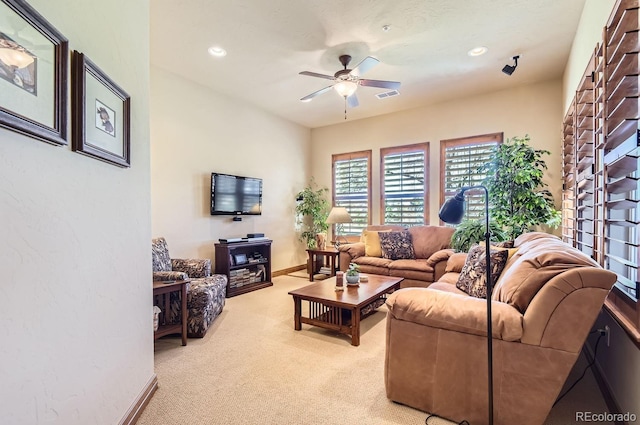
[{"x": 33, "y": 74}]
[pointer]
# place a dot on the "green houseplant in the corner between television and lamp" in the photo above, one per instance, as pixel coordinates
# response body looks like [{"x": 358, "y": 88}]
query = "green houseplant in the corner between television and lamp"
[{"x": 312, "y": 209}]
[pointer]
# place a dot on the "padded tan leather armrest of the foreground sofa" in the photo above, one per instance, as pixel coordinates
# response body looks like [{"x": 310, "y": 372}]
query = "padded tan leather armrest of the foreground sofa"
[{"x": 455, "y": 312}]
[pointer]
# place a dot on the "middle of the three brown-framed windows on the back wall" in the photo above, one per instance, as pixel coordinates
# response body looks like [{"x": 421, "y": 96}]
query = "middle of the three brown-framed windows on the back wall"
[{"x": 403, "y": 184}]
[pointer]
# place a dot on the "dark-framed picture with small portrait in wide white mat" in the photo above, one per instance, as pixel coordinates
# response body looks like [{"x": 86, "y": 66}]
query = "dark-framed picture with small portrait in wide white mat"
[{"x": 101, "y": 114}]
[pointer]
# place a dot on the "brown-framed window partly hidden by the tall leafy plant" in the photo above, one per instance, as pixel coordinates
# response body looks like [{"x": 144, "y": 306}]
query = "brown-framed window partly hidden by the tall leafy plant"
[{"x": 459, "y": 162}]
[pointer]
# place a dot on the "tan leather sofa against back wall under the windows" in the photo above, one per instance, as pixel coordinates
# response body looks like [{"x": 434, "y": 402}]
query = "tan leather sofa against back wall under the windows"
[{"x": 427, "y": 266}]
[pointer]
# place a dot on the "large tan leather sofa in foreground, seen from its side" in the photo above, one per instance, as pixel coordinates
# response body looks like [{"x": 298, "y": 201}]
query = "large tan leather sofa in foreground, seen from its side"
[{"x": 544, "y": 305}]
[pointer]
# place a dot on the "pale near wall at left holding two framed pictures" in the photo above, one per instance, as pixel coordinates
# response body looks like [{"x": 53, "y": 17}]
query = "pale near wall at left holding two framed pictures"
[{"x": 75, "y": 311}]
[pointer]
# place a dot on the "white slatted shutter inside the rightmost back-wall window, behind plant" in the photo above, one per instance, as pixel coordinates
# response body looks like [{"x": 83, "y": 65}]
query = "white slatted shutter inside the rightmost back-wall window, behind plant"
[{"x": 461, "y": 162}]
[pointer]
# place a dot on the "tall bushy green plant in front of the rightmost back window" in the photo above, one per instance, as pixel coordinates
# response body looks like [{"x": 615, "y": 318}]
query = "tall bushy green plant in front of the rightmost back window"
[{"x": 518, "y": 196}]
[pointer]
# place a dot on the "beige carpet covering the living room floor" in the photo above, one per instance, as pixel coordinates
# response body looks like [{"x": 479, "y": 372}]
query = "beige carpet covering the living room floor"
[{"x": 253, "y": 368}]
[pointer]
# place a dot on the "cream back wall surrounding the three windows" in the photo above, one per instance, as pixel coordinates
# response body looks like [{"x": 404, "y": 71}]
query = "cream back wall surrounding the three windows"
[{"x": 533, "y": 109}]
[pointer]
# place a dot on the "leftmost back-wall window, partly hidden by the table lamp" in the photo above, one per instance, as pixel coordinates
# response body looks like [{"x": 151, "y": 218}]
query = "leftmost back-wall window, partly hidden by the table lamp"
[{"x": 352, "y": 188}]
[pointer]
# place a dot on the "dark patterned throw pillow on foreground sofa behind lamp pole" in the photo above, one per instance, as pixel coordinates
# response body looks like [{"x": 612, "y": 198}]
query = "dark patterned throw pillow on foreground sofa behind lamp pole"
[{"x": 473, "y": 277}]
